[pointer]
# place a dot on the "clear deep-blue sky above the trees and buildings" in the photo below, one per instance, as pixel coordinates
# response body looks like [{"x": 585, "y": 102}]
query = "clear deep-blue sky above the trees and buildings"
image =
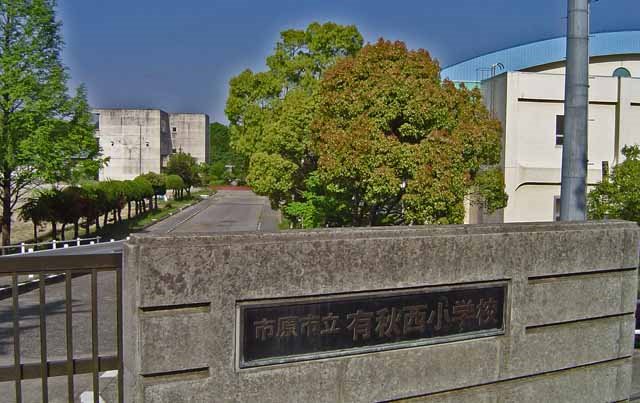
[{"x": 179, "y": 56}]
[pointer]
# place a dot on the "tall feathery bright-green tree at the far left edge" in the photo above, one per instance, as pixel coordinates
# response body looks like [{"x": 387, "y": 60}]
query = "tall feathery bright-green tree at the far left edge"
[{"x": 45, "y": 135}]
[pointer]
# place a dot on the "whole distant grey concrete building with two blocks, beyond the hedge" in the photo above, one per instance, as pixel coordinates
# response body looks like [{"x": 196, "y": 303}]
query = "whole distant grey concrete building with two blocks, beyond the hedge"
[{"x": 137, "y": 141}]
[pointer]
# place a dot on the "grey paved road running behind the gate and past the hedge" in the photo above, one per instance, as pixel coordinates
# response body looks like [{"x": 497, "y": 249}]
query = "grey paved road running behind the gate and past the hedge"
[{"x": 227, "y": 211}]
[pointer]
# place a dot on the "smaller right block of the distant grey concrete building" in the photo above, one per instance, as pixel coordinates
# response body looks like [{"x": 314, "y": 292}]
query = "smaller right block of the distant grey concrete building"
[{"x": 190, "y": 133}]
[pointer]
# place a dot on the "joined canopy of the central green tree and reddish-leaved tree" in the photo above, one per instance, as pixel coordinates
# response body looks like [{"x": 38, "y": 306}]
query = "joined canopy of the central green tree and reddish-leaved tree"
[{"x": 371, "y": 136}]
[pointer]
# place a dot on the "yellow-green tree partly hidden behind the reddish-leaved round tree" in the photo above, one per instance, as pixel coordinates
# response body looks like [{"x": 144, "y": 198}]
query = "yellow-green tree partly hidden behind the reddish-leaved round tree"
[{"x": 270, "y": 112}]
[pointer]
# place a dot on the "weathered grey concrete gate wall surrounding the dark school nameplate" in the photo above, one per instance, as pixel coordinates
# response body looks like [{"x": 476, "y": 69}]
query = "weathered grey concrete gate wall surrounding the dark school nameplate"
[{"x": 183, "y": 292}]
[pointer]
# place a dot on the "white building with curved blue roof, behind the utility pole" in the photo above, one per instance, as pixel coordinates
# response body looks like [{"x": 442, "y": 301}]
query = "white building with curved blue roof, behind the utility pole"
[{"x": 528, "y": 98}]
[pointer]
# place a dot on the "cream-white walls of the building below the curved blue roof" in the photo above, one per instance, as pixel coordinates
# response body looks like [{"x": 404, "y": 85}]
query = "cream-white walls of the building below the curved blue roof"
[{"x": 527, "y": 105}]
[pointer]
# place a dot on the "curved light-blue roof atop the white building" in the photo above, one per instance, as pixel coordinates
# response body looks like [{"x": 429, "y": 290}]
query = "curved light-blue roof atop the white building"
[{"x": 539, "y": 53}]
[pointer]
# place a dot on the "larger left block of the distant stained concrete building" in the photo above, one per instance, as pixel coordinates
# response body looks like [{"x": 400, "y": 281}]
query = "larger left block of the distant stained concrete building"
[{"x": 131, "y": 138}]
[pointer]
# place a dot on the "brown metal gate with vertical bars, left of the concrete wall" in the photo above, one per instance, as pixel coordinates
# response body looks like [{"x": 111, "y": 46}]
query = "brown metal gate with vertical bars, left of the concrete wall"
[{"x": 67, "y": 267}]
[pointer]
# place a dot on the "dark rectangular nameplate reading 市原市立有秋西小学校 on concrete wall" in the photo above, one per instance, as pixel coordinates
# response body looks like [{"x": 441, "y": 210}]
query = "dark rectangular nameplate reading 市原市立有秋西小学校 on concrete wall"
[{"x": 280, "y": 331}]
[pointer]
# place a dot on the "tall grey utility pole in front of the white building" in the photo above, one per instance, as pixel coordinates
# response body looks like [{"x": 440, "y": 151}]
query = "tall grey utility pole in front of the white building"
[{"x": 573, "y": 192}]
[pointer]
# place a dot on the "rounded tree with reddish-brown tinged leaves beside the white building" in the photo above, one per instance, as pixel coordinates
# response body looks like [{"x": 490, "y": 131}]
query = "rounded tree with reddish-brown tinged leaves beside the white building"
[{"x": 397, "y": 145}]
